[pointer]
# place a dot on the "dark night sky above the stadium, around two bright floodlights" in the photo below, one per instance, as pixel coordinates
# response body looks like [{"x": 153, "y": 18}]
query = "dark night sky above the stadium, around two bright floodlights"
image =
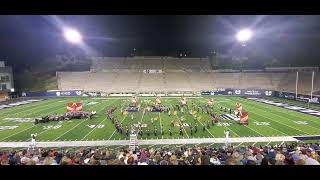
[{"x": 291, "y": 39}]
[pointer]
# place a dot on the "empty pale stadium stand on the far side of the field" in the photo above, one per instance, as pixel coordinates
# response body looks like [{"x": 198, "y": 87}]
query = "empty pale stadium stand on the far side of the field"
[{"x": 111, "y": 74}]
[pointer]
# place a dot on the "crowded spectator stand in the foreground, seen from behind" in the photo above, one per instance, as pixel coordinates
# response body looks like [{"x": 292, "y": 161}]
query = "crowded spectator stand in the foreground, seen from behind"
[{"x": 284, "y": 154}]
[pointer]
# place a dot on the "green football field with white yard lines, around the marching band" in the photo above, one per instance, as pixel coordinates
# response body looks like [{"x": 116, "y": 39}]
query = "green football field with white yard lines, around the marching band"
[{"x": 264, "y": 120}]
